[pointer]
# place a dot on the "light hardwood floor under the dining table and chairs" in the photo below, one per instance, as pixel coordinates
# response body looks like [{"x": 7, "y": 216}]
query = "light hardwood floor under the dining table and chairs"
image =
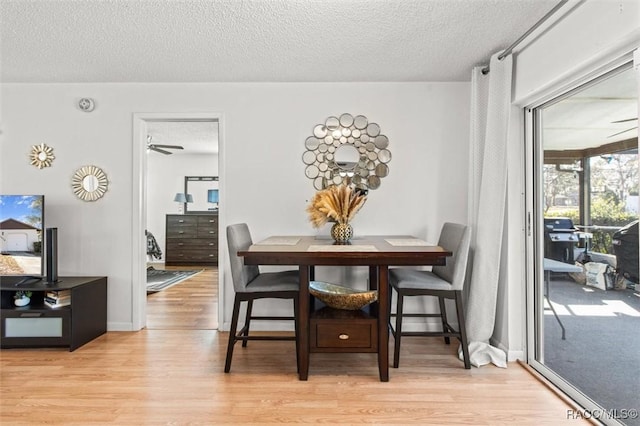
[{"x": 174, "y": 376}]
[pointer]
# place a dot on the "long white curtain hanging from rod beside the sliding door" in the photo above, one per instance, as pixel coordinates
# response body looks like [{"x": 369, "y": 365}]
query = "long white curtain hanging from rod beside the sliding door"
[{"x": 490, "y": 113}]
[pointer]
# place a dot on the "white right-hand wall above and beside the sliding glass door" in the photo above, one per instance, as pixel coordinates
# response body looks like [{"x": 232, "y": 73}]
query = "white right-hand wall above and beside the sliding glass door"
[{"x": 591, "y": 34}]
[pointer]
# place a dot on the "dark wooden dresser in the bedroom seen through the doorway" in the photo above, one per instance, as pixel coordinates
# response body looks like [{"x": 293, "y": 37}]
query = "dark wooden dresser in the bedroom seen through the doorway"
[{"x": 191, "y": 239}]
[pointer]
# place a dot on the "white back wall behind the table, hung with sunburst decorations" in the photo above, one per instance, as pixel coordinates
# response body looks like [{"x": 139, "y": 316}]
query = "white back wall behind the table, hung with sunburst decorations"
[{"x": 264, "y": 128}]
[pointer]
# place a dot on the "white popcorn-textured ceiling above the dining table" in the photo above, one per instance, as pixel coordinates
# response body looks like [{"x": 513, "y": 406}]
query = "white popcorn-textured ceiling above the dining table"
[{"x": 251, "y": 40}]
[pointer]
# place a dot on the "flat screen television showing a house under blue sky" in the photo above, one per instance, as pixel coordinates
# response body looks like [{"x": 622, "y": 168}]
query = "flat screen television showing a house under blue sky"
[{"x": 22, "y": 235}]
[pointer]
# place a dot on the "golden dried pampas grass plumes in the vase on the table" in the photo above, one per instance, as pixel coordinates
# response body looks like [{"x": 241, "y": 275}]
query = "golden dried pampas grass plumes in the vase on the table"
[{"x": 338, "y": 203}]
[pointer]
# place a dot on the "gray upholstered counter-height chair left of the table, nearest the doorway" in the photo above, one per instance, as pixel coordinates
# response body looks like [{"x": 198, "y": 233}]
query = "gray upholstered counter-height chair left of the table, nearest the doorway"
[{"x": 249, "y": 285}]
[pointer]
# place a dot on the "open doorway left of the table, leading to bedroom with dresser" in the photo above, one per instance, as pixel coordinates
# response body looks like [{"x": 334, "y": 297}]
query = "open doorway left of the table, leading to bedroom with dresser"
[{"x": 184, "y": 295}]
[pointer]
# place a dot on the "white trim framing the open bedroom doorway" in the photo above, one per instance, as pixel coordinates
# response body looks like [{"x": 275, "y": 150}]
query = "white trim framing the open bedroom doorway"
[{"x": 139, "y": 208}]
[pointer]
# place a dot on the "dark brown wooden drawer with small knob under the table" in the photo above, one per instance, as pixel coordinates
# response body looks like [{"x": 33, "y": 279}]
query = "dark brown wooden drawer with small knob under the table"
[{"x": 334, "y": 336}]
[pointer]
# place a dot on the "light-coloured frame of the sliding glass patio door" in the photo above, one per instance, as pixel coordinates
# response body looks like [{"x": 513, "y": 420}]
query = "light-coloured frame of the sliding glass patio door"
[{"x": 534, "y": 192}]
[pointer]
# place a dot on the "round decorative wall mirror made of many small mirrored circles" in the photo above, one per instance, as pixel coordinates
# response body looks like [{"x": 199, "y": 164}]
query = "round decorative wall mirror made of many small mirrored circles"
[{"x": 346, "y": 150}]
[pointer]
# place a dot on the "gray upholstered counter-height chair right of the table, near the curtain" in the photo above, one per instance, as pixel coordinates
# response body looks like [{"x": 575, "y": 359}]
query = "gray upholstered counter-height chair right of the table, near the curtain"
[{"x": 443, "y": 282}]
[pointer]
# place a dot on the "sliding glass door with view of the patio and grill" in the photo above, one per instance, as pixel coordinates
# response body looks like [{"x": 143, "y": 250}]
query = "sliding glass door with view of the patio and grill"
[{"x": 585, "y": 297}]
